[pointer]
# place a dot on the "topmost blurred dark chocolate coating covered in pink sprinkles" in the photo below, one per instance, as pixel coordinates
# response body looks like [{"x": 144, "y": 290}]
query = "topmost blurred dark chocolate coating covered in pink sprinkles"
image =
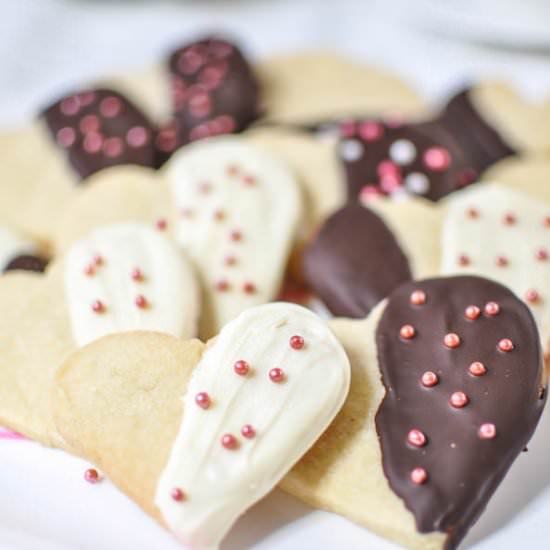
[{"x": 214, "y": 92}]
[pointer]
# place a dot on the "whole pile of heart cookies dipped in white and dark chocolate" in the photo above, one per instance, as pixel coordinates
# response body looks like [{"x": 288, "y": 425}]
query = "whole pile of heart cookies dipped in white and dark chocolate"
[{"x": 348, "y": 287}]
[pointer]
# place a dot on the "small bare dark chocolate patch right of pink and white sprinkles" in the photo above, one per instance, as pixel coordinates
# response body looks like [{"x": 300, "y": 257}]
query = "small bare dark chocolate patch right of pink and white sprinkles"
[{"x": 481, "y": 142}]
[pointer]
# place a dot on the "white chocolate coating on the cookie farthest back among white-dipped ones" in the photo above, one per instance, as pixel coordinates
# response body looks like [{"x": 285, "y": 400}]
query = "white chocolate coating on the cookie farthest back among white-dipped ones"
[{"x": 259, "y": 202}]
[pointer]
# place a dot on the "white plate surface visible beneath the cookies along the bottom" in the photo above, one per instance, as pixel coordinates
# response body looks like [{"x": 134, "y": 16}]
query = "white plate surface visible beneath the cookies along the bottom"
[{"x": 45, "y": 504}]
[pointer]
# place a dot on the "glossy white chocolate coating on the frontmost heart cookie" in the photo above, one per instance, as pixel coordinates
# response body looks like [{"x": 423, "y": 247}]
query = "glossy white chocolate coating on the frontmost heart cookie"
[{"x": 220, "y": 484}]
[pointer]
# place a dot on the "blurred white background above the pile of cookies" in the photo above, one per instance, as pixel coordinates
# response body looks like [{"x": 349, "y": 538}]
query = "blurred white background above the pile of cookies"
[{"x": 46, "y": 45}]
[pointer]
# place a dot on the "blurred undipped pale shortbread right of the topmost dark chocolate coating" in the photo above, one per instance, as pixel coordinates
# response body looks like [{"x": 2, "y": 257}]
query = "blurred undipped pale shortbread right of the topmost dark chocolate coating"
[{"x": 312, "y": 86}]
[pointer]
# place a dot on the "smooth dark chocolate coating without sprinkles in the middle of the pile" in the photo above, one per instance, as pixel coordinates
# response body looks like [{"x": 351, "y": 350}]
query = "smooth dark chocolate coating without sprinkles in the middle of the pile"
[{"x": 354, "y": 262}]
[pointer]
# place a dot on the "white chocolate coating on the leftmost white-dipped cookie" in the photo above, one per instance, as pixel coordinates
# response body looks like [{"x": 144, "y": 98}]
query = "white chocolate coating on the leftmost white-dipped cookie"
[{"x": 168, "y": 284}]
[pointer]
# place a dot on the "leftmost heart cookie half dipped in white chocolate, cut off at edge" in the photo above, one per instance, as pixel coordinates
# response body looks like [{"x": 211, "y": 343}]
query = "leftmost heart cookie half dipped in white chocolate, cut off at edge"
[{"x": 121, "y": 277}]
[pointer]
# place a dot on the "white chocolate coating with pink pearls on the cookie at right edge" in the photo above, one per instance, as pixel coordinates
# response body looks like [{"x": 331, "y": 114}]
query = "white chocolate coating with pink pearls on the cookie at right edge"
[{"x": 503, "y": 235}]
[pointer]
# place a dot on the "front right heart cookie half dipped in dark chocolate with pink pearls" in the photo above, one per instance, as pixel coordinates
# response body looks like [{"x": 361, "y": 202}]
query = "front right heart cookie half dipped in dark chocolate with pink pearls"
[{"x": 417, "y": 452}]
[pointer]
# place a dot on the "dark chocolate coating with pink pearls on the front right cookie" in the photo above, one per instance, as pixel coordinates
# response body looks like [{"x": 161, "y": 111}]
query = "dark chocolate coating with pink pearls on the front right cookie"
[{"x": 463, "y": 469}]
